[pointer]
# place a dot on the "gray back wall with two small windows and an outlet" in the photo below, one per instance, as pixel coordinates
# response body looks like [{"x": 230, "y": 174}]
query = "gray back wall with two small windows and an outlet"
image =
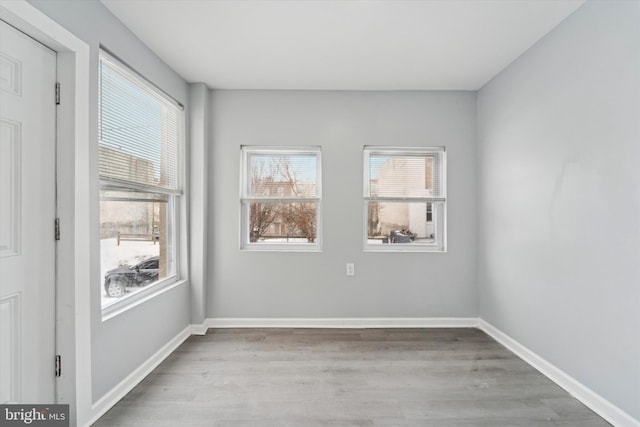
[{"x": 314, "y": 285}]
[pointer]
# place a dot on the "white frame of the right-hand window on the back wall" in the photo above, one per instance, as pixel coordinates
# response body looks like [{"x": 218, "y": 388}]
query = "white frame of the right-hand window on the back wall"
[{"x": 438, "y": 203}]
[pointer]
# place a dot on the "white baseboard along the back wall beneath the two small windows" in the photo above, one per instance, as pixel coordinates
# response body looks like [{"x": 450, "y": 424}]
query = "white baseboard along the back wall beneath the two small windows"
[{"x": 356, "y": 322}]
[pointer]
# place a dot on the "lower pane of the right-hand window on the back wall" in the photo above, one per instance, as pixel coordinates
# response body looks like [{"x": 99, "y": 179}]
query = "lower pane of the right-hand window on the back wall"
[{"x": 401, "y": 222}]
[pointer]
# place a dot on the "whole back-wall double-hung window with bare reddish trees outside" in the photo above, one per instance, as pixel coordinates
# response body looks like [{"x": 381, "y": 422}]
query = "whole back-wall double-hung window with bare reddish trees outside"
[{"x": 280, "y": 198}]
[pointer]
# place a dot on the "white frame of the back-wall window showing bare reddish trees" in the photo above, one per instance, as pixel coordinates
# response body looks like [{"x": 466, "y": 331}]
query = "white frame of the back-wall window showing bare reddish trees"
[{"x": 246, "y": 199}]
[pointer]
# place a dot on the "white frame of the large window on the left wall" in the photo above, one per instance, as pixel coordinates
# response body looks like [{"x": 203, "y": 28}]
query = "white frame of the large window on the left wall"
[{"x": 174, "y": 198}]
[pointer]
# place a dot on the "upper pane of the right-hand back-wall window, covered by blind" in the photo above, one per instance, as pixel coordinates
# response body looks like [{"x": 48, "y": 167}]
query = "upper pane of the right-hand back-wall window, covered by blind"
[{"x": 403, "y": 175}]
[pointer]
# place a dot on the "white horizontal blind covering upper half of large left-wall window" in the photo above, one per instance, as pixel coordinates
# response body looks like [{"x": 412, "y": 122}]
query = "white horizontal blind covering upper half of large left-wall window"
[{"x": 139, "y": 131}]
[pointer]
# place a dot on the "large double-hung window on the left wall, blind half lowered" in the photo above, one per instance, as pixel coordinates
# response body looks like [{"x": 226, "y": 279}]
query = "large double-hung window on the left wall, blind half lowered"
[{"x": 141, "y": 140}]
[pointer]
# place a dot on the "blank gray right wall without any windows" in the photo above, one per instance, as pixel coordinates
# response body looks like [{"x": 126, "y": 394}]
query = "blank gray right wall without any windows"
[{"x": 559, "y": 192}]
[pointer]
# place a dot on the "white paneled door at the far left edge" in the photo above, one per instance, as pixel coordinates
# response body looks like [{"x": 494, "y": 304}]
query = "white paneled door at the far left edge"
[{"x": 27, "y": 214}]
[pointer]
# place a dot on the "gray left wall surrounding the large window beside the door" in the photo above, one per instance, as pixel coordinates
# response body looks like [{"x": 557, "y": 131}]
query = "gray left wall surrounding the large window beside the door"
[{"x": 123, "y": 343}]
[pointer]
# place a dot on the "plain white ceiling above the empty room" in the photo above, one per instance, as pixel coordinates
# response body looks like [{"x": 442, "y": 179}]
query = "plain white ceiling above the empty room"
[{"x": 340, "y": 44}]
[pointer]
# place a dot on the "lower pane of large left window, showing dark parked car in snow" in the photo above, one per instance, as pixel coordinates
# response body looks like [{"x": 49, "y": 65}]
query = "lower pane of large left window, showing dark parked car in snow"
[{"x": 136, "y": 239}]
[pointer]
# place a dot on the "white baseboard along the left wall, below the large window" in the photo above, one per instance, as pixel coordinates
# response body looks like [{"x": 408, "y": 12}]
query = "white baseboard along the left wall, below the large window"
[{"x": 125, "y": 386}]
